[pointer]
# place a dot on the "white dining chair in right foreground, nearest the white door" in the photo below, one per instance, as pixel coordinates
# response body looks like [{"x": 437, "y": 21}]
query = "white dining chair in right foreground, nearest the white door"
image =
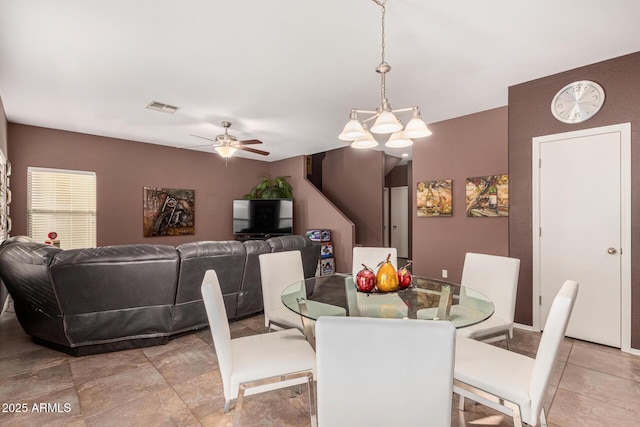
[{"x": 509, "y": 382}]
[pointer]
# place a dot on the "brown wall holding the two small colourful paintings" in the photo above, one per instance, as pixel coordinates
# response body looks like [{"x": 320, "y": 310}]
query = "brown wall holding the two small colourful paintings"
[{"x": 473, "y": 145}]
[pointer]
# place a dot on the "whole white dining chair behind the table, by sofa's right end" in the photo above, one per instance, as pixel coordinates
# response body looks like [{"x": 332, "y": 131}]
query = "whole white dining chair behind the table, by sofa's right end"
[{"x": 278, "y": 270}]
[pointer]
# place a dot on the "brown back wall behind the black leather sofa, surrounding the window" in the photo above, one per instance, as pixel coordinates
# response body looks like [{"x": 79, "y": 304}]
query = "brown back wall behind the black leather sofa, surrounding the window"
[{"x": 123, "y": 169}]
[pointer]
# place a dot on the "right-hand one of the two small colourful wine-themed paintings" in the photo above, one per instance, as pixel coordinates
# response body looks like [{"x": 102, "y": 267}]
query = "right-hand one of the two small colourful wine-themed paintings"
[{"x": 488, "y": 196}]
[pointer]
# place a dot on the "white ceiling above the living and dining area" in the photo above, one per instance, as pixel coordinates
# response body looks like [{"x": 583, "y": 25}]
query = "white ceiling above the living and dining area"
[{"x": 286, "y": 72}]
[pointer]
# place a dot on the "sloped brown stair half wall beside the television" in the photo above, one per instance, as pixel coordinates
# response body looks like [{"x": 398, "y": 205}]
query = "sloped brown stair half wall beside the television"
[{"x": 314, "y": 211}]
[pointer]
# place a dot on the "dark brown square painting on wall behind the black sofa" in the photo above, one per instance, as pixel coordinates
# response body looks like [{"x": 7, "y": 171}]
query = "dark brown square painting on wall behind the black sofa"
[{"x": 168, "y": 212}]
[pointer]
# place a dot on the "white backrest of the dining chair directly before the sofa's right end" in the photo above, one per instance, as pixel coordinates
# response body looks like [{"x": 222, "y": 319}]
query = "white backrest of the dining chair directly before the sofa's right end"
[{"x": 277, "y": 271}]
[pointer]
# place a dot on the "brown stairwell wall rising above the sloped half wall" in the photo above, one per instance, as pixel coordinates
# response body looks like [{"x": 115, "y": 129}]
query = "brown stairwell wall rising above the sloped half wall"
[{"x": 354, "y": 180}]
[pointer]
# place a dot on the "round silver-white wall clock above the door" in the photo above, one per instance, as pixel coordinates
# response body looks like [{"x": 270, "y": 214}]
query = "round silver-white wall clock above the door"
[{"x": 577, "y": 101}]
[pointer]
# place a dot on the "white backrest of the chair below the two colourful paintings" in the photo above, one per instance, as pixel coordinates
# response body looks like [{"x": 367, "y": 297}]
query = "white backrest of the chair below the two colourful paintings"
[{"x": 494, "y": 276}]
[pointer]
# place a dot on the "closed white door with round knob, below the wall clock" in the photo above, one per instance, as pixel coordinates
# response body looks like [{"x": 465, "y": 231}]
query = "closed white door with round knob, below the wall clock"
[{"x": 580, "y": 215}]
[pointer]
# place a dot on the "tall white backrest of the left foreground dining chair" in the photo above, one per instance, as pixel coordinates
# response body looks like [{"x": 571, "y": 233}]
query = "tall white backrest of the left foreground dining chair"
[{"x": 219, "y": 325}]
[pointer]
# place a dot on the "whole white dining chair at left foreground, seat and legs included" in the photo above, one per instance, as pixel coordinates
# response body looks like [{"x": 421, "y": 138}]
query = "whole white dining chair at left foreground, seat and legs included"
[{"x": 257, "y": 363}]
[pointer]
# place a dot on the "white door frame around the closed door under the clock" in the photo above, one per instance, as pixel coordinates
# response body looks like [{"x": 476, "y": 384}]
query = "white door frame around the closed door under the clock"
[{"x": 624, "y": 129}]
